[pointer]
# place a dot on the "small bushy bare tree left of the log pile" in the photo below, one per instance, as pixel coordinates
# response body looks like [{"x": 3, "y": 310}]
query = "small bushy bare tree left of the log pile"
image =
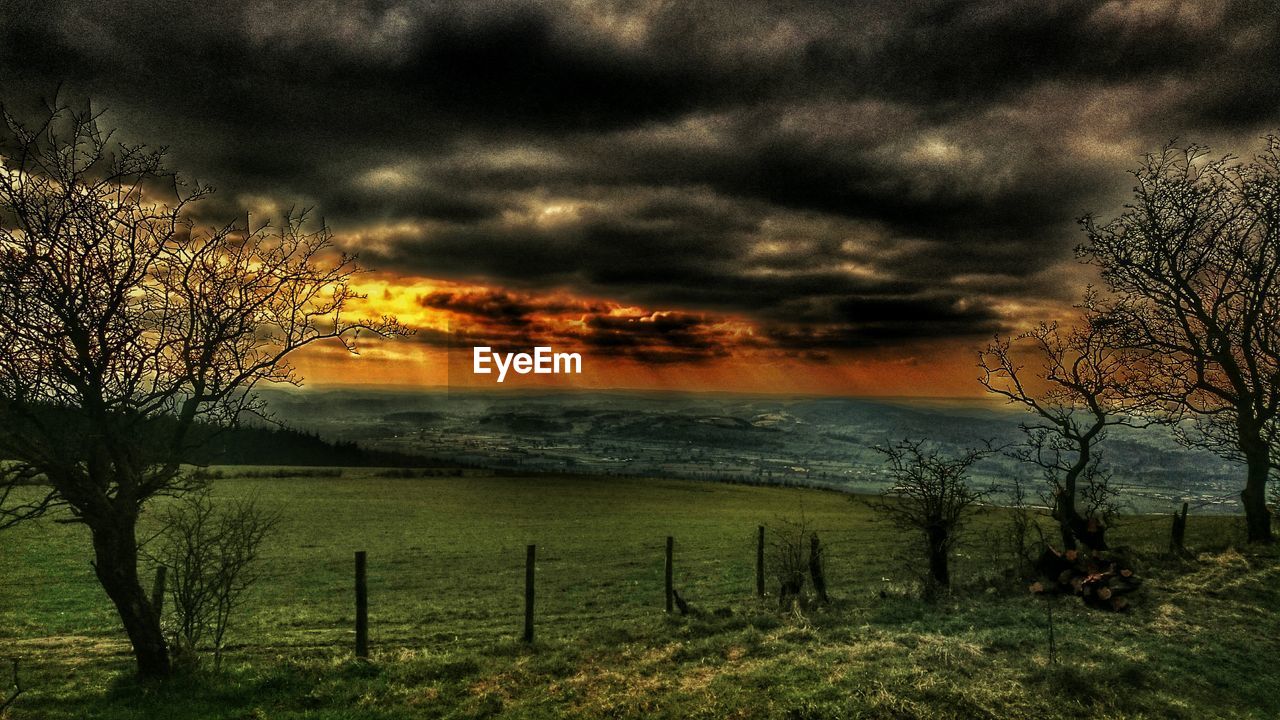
[{"x": 931, "y": 495}]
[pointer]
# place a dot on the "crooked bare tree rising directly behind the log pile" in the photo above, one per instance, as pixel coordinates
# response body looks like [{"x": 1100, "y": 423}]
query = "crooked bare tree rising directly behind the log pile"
[{"x": 1078, "y": 388}]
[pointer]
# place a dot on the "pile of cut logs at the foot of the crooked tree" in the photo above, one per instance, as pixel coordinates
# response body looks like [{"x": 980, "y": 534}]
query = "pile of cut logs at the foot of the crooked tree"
[{"x": 1100, "y": 580}]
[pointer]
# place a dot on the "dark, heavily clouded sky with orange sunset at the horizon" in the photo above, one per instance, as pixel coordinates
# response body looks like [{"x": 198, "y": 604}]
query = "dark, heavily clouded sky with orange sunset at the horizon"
[{"x": 789, "y": 197}]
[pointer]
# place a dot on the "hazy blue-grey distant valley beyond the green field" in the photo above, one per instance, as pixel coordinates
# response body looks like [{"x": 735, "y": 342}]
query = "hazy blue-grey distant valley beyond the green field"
[{"x": 821, "y": 443}]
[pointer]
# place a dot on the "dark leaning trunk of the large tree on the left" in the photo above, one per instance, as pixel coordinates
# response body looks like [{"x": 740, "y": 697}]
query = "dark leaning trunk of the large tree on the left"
[{"x": 116, "y": 553}]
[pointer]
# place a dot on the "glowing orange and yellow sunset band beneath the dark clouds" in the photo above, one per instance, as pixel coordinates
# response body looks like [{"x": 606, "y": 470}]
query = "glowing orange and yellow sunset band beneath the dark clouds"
[{"x": 623, "y": 347}]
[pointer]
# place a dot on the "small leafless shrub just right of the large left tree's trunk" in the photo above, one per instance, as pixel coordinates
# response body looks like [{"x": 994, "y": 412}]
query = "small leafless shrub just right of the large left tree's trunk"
[{"x": 212, "y": 553}]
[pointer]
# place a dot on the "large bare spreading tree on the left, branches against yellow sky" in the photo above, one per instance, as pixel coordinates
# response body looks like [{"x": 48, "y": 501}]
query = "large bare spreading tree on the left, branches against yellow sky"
[{"x": 124, "y": 326}]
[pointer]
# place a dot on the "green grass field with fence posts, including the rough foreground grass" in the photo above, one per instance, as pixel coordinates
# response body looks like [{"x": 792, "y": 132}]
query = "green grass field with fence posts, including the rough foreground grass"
[{"x": 446, "y": 567}]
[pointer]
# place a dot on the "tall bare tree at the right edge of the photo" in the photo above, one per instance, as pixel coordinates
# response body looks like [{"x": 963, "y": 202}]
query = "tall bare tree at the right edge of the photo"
[{"x": 1195, "y": 267}]
